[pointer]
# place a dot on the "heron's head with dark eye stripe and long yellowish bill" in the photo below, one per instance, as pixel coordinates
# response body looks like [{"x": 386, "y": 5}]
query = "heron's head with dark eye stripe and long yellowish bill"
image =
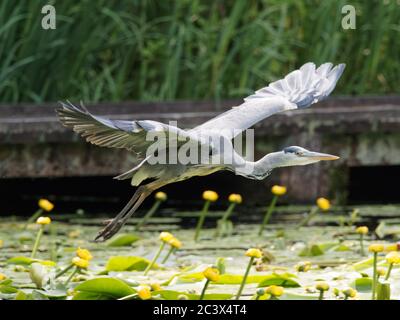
[{"x": 298, "y": 156}]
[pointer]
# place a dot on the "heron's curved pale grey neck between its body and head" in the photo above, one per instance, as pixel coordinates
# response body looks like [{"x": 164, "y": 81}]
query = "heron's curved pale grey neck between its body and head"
[{"x": 261, "y": 168}]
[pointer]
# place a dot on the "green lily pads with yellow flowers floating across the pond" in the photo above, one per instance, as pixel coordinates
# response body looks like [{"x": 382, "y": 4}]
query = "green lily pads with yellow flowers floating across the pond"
[{"x": 316, "y": 261}]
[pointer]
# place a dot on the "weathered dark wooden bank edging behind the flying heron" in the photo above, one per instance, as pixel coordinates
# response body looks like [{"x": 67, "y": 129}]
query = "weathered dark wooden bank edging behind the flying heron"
[{"x": 34, "y": 143}]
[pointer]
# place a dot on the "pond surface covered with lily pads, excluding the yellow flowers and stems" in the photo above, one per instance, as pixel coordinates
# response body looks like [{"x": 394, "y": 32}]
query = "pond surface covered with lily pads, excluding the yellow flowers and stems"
[{"x": 330, "y": 244}]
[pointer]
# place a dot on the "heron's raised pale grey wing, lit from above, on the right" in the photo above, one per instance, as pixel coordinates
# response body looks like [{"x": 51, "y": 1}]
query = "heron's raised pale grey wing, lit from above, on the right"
[{"x": 299, "y": 89}]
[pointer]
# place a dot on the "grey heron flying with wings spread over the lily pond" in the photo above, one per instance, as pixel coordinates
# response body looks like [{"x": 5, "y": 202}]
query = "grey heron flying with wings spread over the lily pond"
[{"x": 299, "y": 89}]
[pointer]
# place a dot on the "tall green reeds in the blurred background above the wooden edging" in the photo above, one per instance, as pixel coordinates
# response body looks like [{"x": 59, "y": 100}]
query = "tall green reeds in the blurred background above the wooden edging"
[{"x": 113, "y": 50}]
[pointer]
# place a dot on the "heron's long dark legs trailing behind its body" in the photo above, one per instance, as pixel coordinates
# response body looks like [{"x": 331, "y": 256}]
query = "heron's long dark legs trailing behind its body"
[{"x": 115, "y": 224}]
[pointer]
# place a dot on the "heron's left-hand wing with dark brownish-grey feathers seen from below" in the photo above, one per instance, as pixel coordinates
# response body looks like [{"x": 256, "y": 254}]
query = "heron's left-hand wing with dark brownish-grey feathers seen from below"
[{"x": 130, "y": 135}]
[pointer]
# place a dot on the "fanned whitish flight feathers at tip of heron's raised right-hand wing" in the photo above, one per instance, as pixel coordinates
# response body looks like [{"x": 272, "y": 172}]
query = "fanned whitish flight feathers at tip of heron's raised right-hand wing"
[{"x": 304, "y": 86}]
